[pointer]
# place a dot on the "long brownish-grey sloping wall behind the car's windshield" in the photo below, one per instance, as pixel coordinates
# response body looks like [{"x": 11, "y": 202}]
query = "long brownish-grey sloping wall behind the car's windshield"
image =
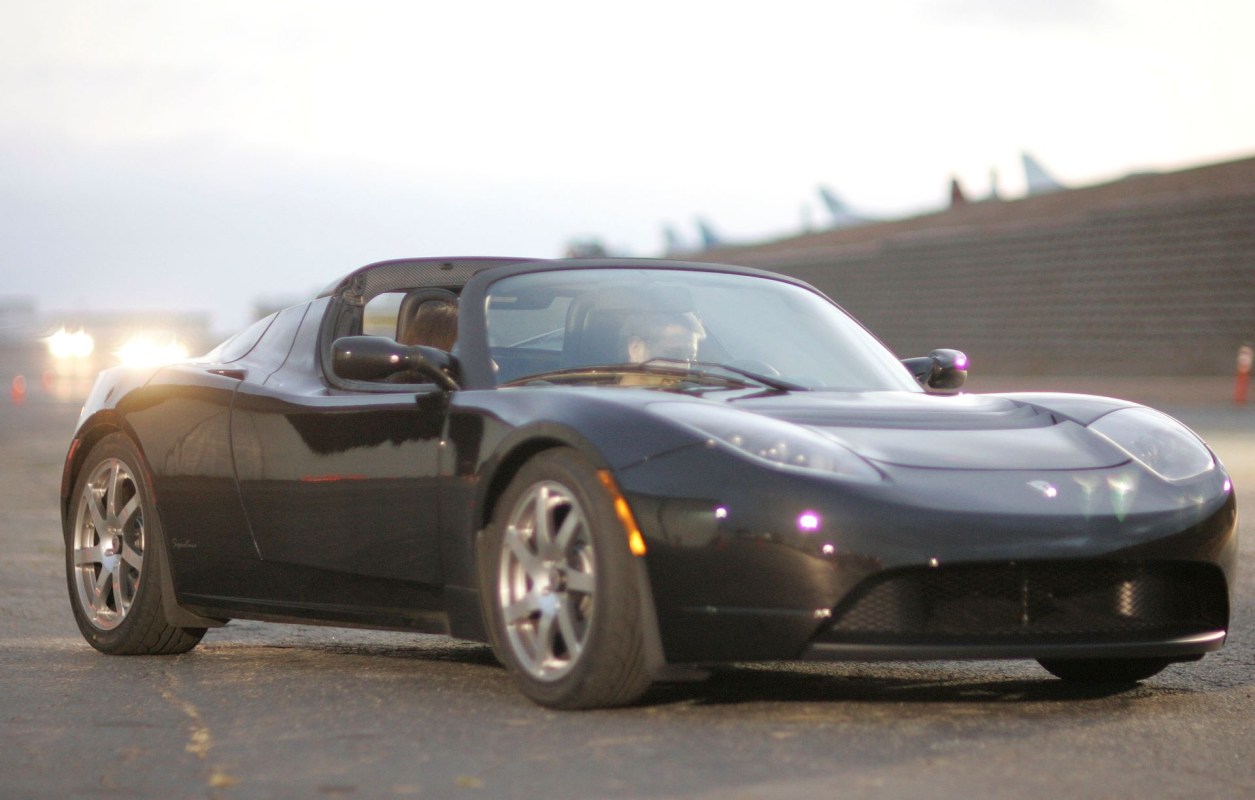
[{"x": 1153, "y": 276}]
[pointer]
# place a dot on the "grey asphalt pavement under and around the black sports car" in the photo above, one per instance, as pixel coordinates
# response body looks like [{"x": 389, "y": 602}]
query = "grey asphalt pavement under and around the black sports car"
[{"x": 270, "y": 711}]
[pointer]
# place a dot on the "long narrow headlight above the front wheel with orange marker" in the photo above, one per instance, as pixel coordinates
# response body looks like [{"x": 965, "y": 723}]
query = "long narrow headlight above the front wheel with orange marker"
[{"x": 774, "y": 441}]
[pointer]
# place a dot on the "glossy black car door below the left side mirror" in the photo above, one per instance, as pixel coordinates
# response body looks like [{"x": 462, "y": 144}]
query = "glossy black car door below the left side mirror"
[{"x": 341, "y": 488}]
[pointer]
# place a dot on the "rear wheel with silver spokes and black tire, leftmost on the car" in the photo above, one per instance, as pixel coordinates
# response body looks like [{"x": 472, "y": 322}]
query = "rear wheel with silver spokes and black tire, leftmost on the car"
[{"x": 115, "y": 559}]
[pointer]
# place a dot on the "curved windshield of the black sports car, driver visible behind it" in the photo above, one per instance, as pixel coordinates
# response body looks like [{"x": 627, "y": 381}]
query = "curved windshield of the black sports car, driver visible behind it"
[{"x": 555, "y": 326}]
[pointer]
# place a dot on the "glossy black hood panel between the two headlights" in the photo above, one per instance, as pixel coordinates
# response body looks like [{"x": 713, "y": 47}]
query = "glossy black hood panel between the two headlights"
[{"x": 961, "y": 433}]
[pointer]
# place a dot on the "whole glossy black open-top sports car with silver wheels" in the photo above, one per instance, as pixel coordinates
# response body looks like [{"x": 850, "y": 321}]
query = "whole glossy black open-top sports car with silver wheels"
[{"x": 626, "y": 472}]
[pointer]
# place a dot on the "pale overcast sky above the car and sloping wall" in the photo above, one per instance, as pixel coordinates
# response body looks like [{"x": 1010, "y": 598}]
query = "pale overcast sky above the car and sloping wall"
[{"x": 205, "y": 156}]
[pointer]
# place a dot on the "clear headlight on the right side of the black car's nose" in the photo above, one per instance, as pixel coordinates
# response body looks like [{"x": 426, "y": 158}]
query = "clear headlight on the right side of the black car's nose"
[{"x": 1158, "y": 443}]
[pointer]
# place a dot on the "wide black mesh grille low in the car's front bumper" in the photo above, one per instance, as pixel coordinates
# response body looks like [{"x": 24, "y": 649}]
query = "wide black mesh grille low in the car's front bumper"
[{"x": 1033, "y": 602}]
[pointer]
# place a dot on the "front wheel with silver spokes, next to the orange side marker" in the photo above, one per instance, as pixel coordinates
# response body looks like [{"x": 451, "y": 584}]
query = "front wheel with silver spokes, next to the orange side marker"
[{"x": 560, "y": 588}]
